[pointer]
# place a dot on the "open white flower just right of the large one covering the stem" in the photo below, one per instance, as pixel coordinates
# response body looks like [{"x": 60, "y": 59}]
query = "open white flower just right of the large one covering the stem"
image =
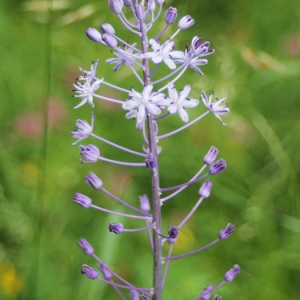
[{"x": 180, "y": 101}]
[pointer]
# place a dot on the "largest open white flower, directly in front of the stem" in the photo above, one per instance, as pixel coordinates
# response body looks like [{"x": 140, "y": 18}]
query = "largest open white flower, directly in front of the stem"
[{"x": 145, "y": 102}]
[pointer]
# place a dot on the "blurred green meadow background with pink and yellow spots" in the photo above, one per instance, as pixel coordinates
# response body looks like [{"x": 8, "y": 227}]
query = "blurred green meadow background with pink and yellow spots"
[{"x": 256, "y": 65}]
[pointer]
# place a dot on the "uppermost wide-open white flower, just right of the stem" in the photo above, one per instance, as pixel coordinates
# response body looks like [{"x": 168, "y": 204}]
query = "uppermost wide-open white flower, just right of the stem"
[{"x": 163, "y": 53}]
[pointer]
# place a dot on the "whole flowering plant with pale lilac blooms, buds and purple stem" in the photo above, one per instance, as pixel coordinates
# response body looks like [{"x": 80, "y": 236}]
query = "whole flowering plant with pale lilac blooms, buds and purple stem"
[{"x": 152, "y": 99}]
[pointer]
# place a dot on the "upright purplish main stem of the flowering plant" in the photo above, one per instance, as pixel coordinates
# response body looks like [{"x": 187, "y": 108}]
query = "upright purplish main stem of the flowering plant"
[{"x": 156, "y": 206}]
